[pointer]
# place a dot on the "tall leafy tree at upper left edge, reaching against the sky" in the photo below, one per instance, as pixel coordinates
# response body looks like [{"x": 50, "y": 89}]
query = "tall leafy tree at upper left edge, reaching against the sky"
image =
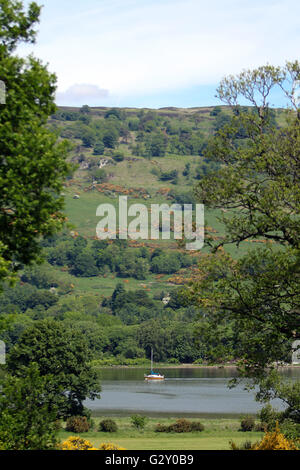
[{"x": 33, "y": 165}]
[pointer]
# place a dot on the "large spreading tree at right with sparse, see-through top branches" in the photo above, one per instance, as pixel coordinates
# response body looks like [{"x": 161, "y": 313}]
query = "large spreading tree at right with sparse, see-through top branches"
[{"x": 258, "y": 187}]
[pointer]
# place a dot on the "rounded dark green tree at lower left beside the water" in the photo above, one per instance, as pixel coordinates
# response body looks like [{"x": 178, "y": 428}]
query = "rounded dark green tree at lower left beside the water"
[{"x": 62, "y": 352}]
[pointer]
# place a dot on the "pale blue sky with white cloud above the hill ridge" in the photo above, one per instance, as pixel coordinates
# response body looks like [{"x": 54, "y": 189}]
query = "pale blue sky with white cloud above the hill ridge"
[{"x": 157, "y": 53}]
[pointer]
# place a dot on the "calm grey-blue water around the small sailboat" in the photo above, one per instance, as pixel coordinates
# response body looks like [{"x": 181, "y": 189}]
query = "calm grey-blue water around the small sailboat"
[{"x": 188, "y": 392}]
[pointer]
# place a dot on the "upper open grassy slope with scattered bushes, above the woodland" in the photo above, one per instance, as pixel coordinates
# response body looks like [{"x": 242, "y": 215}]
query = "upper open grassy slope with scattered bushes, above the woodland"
[{"x": 140, "y": 174}]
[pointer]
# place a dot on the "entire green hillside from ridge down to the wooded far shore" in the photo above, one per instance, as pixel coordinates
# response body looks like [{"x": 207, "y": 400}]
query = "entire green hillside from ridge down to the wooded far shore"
[{"x": 123, "y": 295}]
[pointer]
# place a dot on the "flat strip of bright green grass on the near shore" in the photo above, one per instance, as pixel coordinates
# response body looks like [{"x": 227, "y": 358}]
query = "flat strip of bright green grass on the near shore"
[{"x": 216, "y": 436}]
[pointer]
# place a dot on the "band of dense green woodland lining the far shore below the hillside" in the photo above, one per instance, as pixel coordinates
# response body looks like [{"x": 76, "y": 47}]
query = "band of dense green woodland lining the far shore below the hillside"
[{"x": 111, "y": 326}]
